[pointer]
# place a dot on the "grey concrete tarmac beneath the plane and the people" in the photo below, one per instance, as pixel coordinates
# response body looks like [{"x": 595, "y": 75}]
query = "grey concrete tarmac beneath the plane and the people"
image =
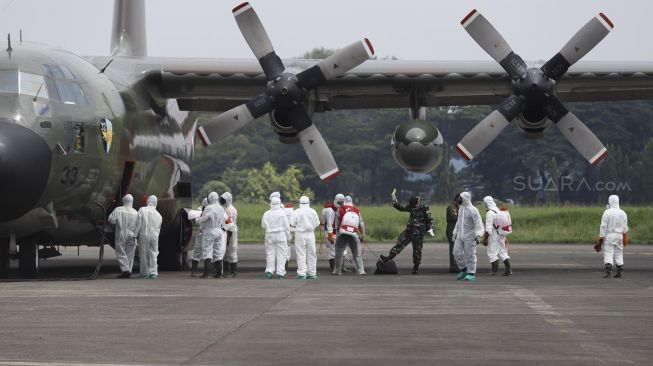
[{"x": 555, "y": 310}]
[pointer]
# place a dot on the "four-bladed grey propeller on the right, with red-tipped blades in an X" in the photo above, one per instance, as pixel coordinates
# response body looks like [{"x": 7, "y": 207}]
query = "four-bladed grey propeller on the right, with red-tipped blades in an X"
[{"x": 533, "y": 89}]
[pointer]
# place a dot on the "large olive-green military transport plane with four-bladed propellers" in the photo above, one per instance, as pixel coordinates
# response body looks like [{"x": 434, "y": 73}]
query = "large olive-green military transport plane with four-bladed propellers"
[{"x": 77, "y": 133}]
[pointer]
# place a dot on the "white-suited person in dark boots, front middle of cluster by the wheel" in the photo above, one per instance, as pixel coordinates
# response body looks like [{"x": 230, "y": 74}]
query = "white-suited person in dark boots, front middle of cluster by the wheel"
[{"x": 211, "y": 223}]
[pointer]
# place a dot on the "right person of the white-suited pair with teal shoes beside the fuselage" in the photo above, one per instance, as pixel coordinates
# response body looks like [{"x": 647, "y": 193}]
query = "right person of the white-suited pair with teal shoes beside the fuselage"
[{"x": 148, "y": 227}]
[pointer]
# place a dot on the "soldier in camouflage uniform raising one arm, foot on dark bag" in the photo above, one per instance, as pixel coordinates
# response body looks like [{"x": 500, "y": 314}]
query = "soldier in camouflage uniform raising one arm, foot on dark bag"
[{"x": 419, "y": 223}]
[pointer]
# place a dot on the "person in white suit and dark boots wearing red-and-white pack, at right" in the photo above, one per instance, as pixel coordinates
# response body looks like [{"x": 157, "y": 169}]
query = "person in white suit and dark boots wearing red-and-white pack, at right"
[{"x": 495, "y": 239}]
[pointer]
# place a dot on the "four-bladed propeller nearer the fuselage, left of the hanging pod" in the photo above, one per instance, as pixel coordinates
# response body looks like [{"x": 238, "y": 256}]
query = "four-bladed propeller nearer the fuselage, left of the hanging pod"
[{"x": 286, "y": 92}]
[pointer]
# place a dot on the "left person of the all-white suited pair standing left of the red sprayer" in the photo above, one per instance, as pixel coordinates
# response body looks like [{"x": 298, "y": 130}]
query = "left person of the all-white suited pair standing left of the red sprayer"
[{"x": 277, "y": 236}]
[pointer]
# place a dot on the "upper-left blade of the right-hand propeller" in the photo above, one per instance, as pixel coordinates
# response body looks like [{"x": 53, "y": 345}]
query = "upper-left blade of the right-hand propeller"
[{"x": 493, "y": 43}]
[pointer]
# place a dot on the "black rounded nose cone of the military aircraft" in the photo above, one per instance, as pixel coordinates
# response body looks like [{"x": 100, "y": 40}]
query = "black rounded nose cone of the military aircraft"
[{"x": 25, "y": 162}]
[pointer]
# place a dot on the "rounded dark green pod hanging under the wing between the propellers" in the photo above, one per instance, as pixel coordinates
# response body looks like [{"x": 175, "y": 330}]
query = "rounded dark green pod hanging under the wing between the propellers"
[{"x": 417, "y": 146}]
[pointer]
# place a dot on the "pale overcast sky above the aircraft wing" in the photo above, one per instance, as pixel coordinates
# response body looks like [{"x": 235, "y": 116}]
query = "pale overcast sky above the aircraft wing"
[{"x": 406, "y": 29}]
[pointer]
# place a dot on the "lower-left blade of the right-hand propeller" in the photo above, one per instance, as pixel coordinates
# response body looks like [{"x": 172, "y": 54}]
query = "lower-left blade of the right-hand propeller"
[{"x": 489, "y": 128}]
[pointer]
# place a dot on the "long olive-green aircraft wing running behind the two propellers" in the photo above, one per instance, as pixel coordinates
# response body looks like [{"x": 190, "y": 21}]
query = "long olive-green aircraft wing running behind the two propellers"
[{"x": 221, "y": 84}]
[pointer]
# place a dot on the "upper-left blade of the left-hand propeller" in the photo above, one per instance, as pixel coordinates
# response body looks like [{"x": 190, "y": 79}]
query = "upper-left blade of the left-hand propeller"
[{"x": 257, "y": 38}]
